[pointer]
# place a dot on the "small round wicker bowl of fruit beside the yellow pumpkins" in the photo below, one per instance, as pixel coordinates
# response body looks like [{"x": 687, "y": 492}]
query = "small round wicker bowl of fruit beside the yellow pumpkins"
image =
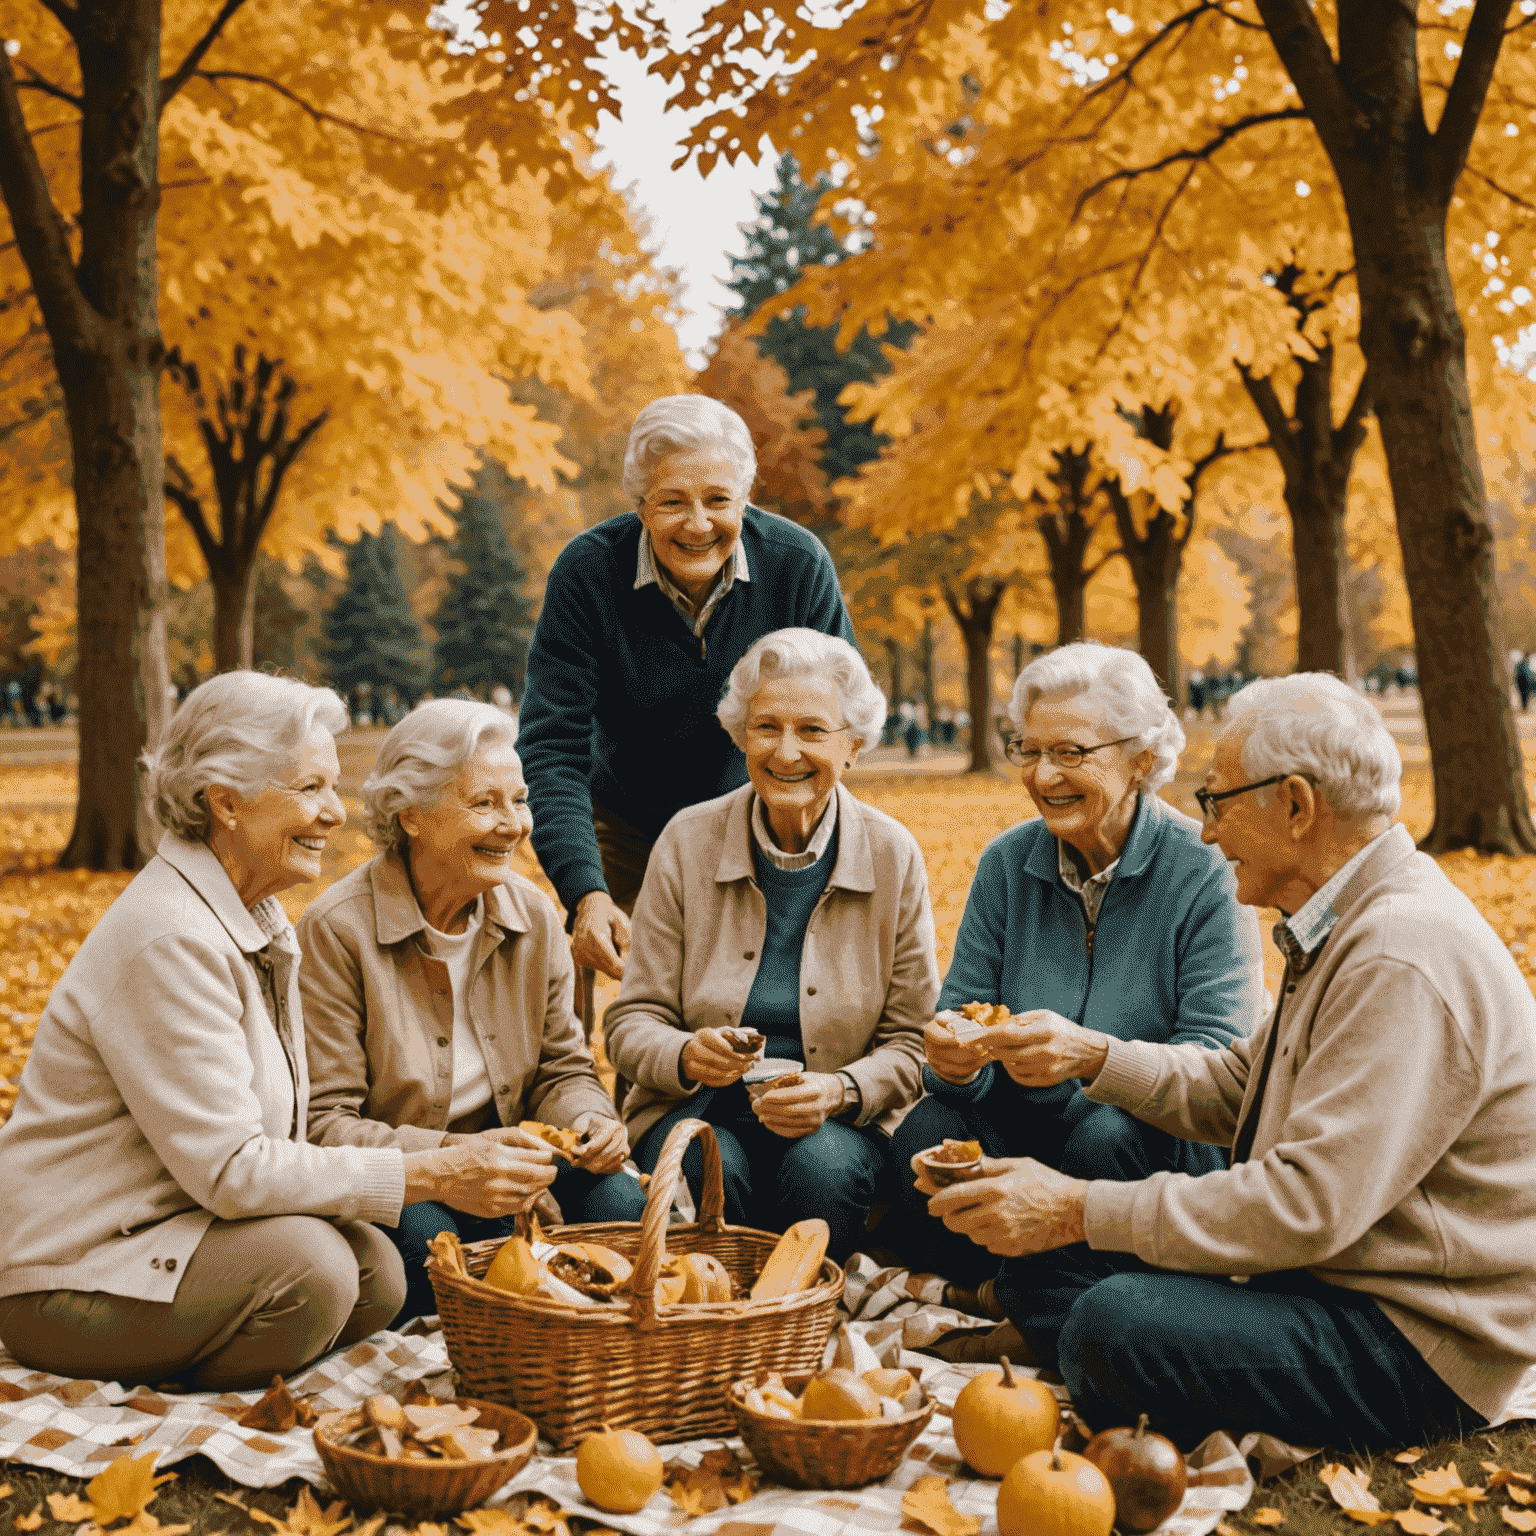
[{"x": 826, "y": 1454}]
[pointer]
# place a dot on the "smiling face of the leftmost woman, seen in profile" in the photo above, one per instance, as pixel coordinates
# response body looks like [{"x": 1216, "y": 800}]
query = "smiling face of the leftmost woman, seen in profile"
[{"x": 280, "y": 835}]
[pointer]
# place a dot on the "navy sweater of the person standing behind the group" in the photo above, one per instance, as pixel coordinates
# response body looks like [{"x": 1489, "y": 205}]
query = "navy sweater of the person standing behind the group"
[{"x": 621, "y": 695}]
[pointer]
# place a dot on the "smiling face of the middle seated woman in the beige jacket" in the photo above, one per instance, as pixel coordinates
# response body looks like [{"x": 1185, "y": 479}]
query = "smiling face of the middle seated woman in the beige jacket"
[{"x": 798, "y": 749}]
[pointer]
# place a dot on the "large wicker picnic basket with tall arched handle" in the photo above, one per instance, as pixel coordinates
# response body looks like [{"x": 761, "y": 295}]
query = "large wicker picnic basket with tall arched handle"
[{"x": 663, "y": 1371}]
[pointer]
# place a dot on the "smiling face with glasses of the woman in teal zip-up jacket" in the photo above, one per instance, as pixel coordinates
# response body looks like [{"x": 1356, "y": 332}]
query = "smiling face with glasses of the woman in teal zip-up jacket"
[{"x": 1090, "y": 807}]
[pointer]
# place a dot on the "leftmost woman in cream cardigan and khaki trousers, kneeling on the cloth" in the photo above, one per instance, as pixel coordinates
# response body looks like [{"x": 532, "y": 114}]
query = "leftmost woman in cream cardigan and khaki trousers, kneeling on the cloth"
[{"x": 168, "y": 1214}]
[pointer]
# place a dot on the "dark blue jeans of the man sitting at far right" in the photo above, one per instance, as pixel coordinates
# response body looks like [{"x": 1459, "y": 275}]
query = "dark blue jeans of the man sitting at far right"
[{"x": 1283, "y": 1354}]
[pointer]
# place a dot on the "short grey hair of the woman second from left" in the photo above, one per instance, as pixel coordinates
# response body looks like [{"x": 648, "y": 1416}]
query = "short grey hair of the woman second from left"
[{"x": 423, "y": 755}]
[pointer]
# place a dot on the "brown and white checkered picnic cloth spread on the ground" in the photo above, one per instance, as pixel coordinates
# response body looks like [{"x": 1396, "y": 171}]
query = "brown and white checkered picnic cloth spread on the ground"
[{"x": 79, "y": 1428}]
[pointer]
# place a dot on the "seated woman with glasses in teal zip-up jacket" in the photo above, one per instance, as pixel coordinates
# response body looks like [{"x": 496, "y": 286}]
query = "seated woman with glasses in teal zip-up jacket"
[{"x": 1107, "y": 912}]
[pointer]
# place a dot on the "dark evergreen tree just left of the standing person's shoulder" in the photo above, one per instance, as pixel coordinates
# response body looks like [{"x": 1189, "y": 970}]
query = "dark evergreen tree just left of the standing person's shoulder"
[{"x": 485, "y": 621}]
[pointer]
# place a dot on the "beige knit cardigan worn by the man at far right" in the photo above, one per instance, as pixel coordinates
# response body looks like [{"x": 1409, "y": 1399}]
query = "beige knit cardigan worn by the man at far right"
[{"x": 1395, "y": 1148}]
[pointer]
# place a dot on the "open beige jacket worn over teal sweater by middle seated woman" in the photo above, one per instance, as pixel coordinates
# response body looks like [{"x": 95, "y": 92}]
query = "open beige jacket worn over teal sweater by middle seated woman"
[{"x": 869, "y": 972}]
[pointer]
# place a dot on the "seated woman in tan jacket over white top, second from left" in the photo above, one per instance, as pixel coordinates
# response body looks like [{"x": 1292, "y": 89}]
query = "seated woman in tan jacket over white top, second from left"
[{"x": 437, "y": 987}]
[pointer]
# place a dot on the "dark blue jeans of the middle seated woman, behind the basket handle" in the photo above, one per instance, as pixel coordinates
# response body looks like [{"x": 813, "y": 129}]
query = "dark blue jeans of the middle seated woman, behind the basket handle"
[{"x": 772, "y": 1182}]
